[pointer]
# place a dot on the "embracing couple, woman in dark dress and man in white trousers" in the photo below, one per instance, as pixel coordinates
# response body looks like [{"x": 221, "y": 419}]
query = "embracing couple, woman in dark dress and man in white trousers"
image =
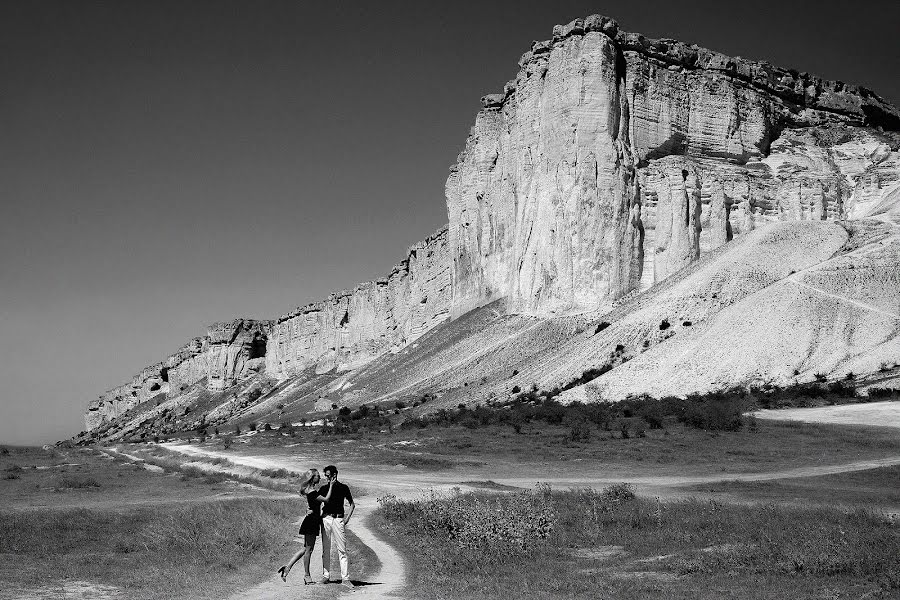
[{"x": 325, "y": 514}]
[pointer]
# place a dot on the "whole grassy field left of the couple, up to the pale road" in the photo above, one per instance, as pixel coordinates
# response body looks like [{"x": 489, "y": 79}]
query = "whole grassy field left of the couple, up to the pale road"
[{"x": 73, "y": 519}]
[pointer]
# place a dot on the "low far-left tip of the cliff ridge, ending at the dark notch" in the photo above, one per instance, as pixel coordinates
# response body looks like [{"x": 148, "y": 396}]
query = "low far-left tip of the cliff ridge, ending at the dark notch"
[{"x": 228, "y": 352}]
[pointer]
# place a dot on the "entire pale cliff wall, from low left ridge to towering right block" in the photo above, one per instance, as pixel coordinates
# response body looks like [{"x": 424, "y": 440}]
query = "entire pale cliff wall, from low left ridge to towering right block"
[{"x": 610, "y": 162}]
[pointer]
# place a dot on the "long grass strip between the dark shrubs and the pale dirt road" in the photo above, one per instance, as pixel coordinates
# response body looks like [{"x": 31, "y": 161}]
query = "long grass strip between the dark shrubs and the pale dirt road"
[{"x": 767, "y": 446}]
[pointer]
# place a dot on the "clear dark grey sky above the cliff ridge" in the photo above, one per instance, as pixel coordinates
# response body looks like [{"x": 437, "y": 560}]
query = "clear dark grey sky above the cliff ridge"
[{"x": 165, "y": 165}]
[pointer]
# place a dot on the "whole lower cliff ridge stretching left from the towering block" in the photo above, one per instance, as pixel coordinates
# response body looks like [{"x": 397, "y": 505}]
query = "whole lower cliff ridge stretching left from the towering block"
[{"x": 344, "y": 331}]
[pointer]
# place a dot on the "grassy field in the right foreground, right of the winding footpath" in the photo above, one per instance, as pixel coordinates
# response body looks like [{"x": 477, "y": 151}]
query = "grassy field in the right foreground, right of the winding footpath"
[{"x": 585, "y": 544}]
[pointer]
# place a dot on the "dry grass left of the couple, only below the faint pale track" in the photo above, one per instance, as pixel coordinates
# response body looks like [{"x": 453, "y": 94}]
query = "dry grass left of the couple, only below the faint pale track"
[{"x": 197, "y": 550}]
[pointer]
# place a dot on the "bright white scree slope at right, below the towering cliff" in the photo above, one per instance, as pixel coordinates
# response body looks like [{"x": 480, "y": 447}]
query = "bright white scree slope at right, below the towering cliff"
[{"x": 837, "y": 316}]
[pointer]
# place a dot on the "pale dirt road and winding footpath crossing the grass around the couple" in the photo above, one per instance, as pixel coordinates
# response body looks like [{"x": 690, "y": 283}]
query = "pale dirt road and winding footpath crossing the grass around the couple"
[{"x": 389, "y": 579}]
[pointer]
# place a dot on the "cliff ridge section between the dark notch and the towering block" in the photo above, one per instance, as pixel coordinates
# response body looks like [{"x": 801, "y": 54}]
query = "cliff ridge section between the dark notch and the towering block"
[{"x": 348, "y": 329}]
